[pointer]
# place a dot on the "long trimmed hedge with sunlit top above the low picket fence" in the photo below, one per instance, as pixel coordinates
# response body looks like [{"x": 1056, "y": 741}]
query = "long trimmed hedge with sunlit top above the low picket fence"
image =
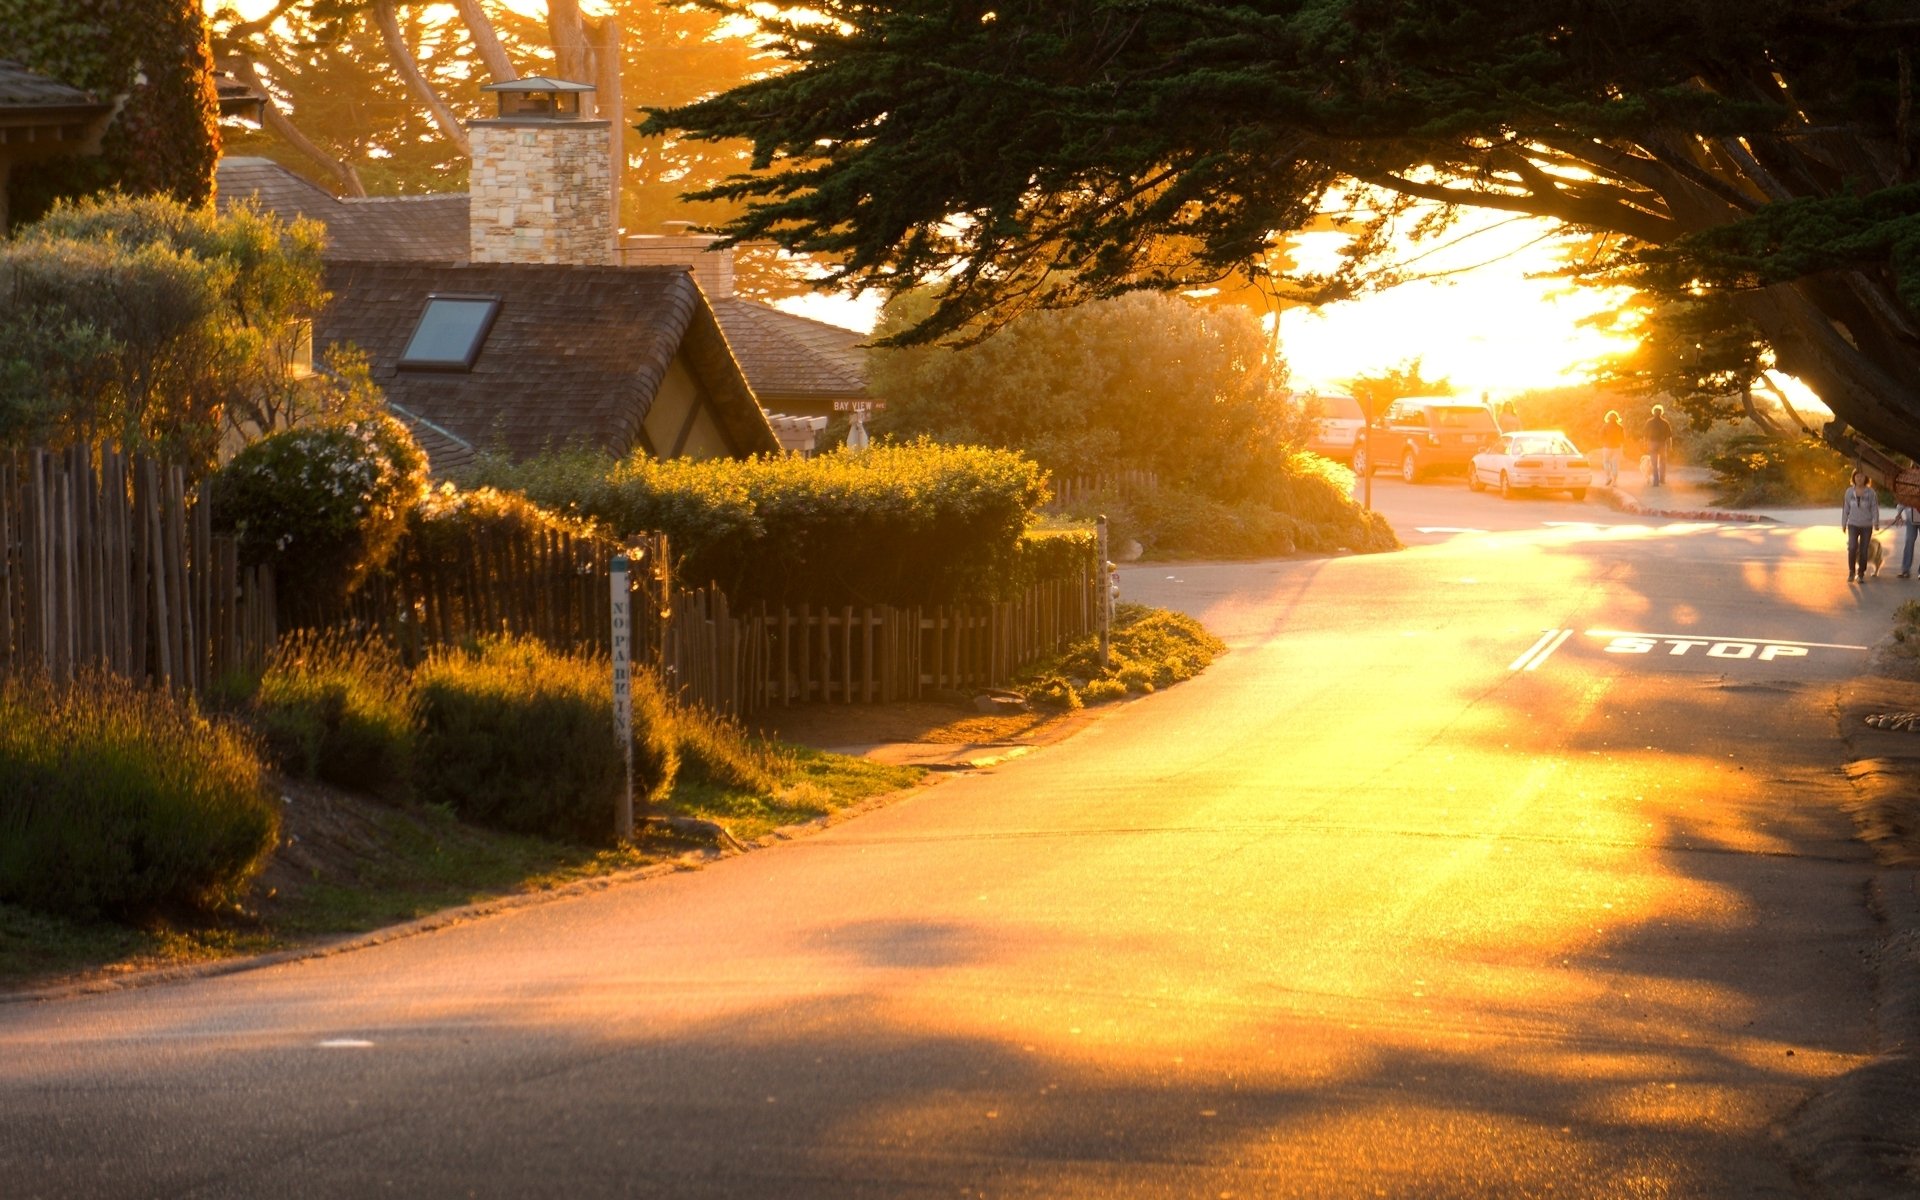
[{"x": 898, "y": 525}]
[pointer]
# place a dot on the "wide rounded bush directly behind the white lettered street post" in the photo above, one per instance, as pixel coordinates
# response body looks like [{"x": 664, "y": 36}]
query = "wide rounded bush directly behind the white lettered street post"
[{"x": 521, "y": 738}]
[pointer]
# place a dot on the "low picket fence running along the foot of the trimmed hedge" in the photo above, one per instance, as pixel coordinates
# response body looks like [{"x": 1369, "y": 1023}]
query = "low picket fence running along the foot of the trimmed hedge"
[{"x": 744, "y": 663}]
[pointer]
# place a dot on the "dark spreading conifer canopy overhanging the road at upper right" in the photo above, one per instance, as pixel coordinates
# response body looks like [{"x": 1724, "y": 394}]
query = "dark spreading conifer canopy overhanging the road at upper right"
[{"x": 1756, "y": 155}]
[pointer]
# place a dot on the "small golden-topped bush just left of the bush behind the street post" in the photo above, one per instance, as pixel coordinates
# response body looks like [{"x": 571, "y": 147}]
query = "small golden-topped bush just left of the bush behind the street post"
[{"x": 339, "y": 709}]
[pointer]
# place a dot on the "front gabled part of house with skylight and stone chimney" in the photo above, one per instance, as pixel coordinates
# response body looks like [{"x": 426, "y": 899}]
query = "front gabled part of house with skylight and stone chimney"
[{"x": 502, "y": 320}]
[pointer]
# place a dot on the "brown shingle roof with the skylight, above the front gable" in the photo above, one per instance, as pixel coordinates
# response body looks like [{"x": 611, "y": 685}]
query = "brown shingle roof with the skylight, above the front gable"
[{"x": 575, "y": 356}]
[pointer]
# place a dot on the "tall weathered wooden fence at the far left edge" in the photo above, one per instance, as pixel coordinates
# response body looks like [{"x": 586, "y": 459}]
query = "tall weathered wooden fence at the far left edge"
[{"x": 110, "y": 562}]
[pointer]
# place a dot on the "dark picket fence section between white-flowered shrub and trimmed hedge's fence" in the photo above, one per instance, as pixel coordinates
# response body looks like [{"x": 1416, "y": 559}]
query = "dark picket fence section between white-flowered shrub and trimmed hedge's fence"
[{"x": 544, "y": 585}]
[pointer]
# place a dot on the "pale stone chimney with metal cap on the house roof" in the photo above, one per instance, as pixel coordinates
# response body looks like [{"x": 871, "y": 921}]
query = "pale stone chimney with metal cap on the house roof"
[{"x": 542, "y": 187}]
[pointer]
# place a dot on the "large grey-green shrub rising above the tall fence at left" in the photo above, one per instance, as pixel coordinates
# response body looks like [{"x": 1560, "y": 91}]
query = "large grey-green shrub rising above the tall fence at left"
[{"x": 155, "y": 325}]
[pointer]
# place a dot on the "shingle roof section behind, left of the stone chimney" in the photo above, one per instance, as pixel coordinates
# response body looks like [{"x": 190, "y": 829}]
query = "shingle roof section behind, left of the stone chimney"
[{"x": 429, "y": 229}]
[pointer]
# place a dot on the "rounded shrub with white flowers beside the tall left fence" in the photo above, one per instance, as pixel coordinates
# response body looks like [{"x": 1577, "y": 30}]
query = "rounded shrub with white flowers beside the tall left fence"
[{"x": 324, "y": 504}]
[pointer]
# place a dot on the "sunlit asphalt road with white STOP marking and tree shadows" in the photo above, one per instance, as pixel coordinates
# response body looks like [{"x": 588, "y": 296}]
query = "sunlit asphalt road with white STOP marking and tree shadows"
[{"x": 1506, "y": 867}]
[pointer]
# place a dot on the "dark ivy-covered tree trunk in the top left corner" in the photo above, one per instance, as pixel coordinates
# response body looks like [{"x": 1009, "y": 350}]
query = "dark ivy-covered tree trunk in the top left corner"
[{"x": 155, "y": 53}]
